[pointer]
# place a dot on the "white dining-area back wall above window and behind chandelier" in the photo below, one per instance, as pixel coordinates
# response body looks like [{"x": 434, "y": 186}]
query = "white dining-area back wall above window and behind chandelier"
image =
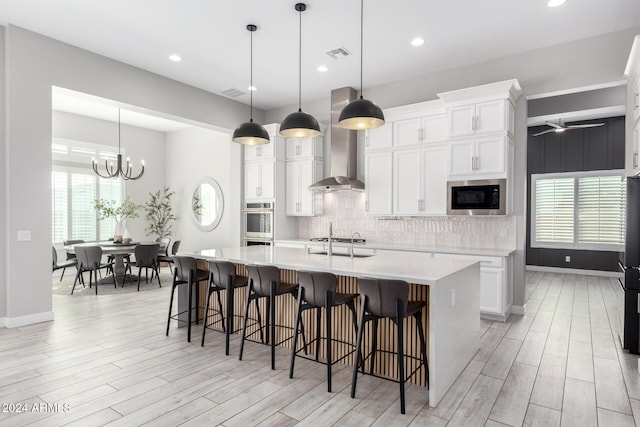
[{"x": 137, "y": 143}]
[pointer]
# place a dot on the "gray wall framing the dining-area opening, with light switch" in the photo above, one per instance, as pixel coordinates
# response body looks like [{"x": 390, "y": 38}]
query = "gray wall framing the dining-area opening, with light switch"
[{"x": 34, "y": 64}]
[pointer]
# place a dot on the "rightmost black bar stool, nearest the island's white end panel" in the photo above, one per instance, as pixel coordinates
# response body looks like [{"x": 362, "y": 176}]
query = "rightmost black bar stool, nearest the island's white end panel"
[{"x": 381, "y": 299}]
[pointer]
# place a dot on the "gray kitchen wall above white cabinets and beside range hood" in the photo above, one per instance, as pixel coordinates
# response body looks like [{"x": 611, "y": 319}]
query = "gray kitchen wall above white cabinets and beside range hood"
[{"x": 582, "y": 63}]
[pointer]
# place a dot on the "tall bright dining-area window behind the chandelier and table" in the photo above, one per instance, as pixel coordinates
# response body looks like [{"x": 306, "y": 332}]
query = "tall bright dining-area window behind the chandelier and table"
[{"x": 74, "y": 189}]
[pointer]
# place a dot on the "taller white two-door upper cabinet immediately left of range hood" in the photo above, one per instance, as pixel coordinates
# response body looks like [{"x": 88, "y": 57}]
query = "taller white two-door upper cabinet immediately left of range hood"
[{"x": 300, "y": 201}]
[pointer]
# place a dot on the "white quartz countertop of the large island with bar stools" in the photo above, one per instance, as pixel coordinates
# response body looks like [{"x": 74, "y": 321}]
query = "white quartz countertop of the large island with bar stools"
[{"x": 414, "y": 268}]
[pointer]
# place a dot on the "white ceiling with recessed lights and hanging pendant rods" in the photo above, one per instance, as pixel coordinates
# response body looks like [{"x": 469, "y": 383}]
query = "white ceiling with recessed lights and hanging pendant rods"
[{"x": 212, "y": 39}]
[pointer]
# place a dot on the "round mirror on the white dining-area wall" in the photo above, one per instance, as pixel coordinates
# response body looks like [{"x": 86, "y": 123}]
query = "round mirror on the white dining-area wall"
[{"x": 207, "y": 204}]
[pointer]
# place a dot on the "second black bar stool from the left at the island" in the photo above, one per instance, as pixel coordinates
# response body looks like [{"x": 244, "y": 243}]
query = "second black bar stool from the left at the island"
[{"x": 223, "y": 277}]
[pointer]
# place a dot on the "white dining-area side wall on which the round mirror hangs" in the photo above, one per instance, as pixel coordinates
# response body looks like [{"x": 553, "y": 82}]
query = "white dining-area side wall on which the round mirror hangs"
[{"x": 193, "y": 154}]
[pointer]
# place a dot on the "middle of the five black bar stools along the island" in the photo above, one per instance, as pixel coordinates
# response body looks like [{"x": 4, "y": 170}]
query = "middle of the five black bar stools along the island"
[{"x": 264, "y": 282}]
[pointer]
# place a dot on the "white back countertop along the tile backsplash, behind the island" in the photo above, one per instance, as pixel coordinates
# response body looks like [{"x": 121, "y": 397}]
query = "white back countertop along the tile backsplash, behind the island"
[{"x": 411, "y": 248}]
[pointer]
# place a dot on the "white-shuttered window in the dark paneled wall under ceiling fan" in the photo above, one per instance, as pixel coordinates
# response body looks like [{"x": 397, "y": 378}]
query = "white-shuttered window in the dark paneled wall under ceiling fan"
[{"x": 578, "y": 210}]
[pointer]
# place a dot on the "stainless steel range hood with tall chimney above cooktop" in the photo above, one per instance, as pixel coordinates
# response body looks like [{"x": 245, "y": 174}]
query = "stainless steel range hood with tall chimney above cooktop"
[{"x": 343, "y": 148}]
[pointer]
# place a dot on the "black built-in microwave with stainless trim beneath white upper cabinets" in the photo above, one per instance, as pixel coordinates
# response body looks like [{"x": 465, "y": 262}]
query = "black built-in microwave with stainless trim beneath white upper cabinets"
[{"x": 481, "y": 197}]
